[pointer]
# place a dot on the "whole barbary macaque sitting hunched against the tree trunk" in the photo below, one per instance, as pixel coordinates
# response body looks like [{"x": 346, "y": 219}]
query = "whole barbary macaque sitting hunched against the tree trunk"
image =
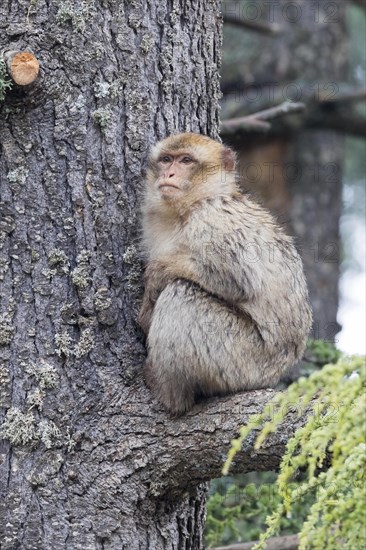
[{"x": 226, "y": 303}]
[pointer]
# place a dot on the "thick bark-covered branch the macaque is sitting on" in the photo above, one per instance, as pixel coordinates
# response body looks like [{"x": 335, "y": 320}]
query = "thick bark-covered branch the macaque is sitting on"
[{"x": 198, "y": 442}]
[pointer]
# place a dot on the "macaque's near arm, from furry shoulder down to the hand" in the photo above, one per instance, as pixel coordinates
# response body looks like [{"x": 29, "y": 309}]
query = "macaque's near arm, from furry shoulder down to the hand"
[{"x": 226, "y": 252}]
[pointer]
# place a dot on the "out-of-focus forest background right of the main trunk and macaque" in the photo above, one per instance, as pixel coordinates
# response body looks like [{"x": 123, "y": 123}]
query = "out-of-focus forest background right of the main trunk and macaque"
[{"x": 301, "y": 66}]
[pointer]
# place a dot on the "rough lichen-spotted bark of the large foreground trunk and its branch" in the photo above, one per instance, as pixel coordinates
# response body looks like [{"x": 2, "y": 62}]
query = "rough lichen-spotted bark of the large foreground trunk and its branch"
[{"x": 88, "y": 461}]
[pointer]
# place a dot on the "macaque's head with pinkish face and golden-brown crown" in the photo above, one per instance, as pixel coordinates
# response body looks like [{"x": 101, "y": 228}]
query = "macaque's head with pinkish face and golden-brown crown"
[{"x": 187, "y": 167}]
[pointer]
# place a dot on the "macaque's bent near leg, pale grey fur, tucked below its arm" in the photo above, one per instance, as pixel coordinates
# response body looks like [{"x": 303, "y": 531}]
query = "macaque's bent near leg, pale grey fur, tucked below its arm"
[{"x": 199, "y": 346}]
